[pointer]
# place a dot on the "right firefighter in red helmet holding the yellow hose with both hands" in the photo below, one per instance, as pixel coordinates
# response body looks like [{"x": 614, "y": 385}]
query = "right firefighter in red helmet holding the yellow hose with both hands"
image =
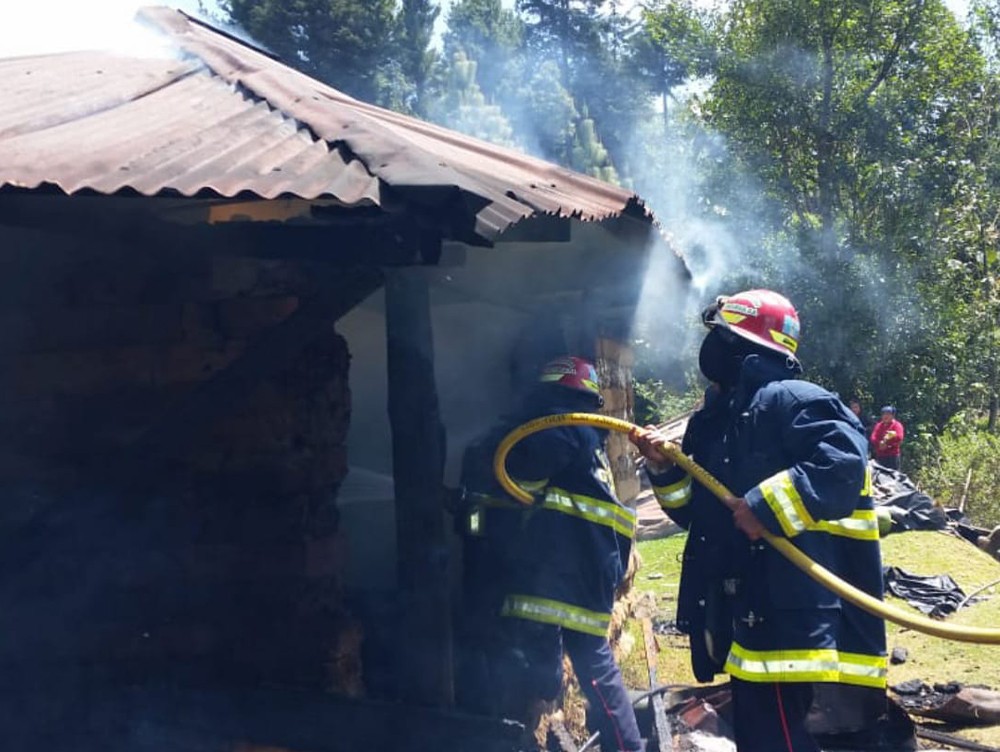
[{"x": 797, "y": 459}]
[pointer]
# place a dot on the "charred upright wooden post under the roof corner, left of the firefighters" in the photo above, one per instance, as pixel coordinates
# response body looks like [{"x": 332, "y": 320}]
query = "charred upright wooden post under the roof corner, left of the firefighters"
[{"x": 418, "y": 455}]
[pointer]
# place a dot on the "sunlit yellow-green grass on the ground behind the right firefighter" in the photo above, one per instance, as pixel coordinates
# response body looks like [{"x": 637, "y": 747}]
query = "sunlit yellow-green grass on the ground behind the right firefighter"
[{"x": 930, "y": 659}]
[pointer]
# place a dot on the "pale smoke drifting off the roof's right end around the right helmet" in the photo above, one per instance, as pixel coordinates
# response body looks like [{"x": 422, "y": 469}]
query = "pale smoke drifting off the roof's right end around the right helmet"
[{"x": 733, "y": 237}]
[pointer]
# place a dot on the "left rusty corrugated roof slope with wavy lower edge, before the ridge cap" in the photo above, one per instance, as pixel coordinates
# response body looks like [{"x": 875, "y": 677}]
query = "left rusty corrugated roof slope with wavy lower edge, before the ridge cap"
[{"x": 97, "y": 121}]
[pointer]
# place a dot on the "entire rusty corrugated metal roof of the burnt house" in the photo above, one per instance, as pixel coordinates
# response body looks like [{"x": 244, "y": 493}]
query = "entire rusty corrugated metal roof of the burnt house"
[{"x": 227, "y": 119}]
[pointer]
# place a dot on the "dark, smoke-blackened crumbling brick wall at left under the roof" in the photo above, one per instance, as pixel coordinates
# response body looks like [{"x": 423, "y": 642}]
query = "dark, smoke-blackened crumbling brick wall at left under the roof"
[{"x": 217, "y": 562}]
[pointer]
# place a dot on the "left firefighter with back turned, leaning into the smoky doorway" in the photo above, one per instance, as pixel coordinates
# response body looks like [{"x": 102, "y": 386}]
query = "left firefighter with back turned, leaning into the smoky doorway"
[{"x": 541, "y": 578}]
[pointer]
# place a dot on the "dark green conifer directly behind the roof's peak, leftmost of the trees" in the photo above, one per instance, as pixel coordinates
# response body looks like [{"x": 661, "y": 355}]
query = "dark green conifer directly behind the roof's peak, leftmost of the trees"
[{"x": 346, "y": 43}]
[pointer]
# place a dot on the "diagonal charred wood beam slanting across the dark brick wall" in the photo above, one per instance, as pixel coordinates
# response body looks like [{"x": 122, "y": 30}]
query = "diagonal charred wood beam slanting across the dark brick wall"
[{"x": 263, "y": 357}]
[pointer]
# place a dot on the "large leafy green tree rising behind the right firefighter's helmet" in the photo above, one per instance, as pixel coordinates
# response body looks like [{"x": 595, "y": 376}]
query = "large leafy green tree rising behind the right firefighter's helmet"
[{"x": 843, "y": 110}]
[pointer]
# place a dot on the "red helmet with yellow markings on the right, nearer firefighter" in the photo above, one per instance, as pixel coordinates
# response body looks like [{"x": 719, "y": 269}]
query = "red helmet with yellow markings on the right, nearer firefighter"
[{"x": 762, "y": 316}]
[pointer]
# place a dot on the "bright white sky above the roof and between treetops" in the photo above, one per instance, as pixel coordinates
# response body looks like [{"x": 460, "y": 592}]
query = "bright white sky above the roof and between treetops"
[{"x": 31, "y": 27}]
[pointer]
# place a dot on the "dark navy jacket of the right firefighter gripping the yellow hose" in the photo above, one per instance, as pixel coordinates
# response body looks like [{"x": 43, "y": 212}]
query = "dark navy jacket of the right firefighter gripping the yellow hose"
[{"x": 799, "y": 457}]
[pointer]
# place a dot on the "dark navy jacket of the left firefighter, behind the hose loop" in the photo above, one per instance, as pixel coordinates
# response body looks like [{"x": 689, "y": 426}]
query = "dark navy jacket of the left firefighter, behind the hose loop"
[{"x": 572, "y": 545}]
